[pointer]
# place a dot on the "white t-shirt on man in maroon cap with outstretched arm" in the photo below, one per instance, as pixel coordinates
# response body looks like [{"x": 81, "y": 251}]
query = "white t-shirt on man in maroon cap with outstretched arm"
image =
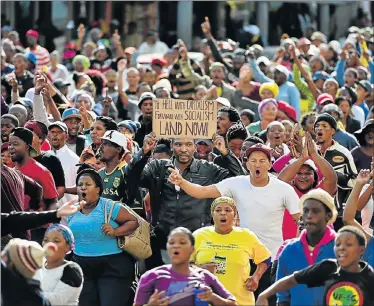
[{"x": 261, "y": 209}]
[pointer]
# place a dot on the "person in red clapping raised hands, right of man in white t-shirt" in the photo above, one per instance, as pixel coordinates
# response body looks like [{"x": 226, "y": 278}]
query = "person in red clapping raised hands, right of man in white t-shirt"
[{"x": 309, "y": 171}]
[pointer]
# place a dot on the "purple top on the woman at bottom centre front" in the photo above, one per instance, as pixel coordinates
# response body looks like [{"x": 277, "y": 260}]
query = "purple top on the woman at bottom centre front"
[{"x": 178, "y": 287}]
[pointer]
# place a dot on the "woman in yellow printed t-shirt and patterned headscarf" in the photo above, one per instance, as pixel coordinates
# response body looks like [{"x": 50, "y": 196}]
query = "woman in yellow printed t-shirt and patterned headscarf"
[{"x": 225, "y": 250}]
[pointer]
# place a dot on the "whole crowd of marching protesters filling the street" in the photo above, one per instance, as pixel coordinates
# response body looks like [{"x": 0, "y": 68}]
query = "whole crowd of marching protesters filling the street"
[{"x": 277, "y": 207}]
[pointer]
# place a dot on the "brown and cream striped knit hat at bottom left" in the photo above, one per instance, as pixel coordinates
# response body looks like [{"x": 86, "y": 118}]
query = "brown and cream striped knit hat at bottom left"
[{"x": 27, "y": 256}]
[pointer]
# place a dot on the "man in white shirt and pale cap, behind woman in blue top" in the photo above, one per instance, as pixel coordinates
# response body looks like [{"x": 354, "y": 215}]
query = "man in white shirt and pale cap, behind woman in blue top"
[{"x": 58, "y": 134}]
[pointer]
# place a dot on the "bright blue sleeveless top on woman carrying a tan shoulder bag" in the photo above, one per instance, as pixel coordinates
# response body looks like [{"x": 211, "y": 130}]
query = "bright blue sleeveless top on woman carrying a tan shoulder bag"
[{"x": 90, "y": 240}]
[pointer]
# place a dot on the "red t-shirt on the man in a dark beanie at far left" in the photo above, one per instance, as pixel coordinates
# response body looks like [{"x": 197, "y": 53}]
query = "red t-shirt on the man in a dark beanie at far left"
[{"x": 41, "y": 175}]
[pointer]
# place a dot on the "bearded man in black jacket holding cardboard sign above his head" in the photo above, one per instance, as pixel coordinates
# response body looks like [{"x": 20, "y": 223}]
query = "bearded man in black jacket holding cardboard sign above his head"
[{"x": 171, "y": 207}]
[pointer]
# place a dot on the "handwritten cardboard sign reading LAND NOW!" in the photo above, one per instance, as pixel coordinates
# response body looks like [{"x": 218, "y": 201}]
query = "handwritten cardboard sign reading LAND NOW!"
[{"x": 184, "y": 118}]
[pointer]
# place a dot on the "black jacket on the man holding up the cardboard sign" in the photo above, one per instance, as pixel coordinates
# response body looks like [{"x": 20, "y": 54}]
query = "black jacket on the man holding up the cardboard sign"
[{"x": 176, "y": 208}]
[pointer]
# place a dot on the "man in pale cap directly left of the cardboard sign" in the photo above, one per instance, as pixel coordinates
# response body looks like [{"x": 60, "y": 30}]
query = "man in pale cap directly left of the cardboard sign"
[{"x": 146, "y": 106}]
